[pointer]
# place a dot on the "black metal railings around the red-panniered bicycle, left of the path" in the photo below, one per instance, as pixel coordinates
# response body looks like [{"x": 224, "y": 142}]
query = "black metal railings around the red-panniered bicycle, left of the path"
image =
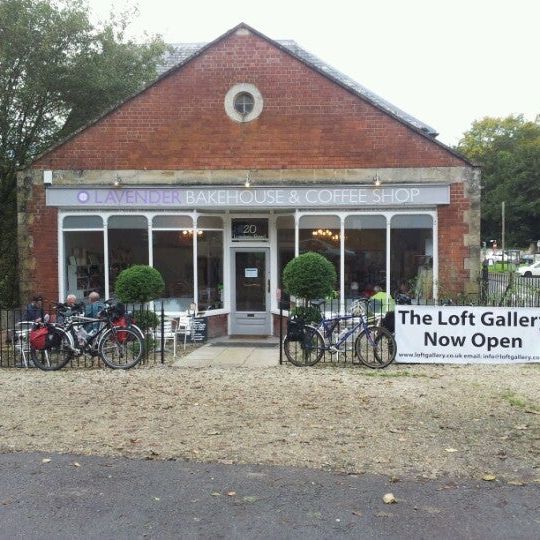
[{"x": 15, "y": 350}]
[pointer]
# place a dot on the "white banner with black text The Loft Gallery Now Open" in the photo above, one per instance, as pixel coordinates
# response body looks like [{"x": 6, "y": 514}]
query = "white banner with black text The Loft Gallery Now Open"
[{"x": 462, "y": 334}]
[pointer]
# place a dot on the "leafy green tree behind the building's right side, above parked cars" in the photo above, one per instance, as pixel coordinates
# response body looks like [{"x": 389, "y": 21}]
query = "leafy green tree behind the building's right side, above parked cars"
[{"x": 508, "y": 149}]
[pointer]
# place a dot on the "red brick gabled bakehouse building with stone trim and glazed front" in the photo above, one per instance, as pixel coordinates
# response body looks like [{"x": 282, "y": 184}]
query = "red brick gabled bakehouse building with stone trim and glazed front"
[{"x": 244, "y": 153}]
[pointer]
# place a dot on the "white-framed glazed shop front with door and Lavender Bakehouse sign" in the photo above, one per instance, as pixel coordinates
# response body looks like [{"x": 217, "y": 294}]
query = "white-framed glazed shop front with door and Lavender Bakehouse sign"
[{"x": 225, "y": 249}]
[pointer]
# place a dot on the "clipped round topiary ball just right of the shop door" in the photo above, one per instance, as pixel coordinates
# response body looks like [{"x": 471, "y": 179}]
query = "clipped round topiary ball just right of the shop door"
[{"x": 309, "y": 276}]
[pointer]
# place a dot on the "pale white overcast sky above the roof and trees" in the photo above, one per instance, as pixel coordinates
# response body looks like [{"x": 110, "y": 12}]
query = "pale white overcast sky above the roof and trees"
[{"x": 446, "y": 63}]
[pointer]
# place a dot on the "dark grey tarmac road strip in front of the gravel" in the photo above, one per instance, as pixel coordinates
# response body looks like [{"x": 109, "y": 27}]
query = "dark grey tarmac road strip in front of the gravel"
[{"x": 119, "y": 498}]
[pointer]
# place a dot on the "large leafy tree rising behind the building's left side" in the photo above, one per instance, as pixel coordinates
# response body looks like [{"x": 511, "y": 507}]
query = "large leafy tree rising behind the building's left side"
[{"x": 57, "y": 72}]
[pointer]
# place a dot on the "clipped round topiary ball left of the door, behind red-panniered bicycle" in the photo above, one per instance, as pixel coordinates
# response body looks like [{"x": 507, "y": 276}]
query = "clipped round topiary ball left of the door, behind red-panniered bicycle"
[{"x": 139, "y": 283}]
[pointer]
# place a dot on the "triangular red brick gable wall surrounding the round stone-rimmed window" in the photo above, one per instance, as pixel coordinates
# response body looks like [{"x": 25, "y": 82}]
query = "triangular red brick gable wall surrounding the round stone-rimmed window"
[{"x": 307, "y": 122}]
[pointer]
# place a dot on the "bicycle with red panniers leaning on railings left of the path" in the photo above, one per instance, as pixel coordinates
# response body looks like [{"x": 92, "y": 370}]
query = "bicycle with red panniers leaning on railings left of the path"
[{"x": 119, "y": 346}]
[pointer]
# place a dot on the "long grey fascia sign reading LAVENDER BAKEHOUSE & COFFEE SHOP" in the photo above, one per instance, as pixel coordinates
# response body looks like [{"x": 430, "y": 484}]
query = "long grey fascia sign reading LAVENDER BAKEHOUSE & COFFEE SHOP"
[{"x": 263, "y": 197}]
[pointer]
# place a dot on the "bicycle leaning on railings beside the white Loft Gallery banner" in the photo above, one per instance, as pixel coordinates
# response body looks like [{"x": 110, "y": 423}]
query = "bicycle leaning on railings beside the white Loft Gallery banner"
[{"x": 374, "y": 346}]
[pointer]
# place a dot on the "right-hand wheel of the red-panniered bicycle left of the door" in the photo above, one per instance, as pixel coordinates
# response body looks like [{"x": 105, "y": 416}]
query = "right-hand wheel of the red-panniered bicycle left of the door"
[{"x": 121, "y": 348}]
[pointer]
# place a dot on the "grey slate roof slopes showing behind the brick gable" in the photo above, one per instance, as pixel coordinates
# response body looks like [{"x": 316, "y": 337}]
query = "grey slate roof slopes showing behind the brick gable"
[{"x": 181, "y": 53}]
